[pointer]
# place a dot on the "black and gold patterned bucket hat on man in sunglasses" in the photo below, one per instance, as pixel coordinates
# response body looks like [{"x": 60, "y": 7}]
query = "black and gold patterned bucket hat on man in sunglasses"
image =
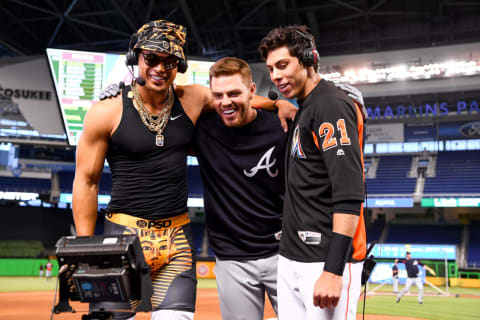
[{"x": 162, "y": 36}]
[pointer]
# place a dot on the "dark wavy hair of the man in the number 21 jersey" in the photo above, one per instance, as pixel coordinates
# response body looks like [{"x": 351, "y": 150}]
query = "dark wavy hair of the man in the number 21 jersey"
[{"x": 296, "y": 38}]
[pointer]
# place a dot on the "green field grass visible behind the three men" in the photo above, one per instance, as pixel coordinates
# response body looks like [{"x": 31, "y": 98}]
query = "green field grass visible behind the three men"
[{"x": 463, "y": 307}]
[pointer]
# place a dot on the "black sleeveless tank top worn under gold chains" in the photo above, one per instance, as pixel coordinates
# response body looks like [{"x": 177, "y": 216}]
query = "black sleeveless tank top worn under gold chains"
[{"x": 149, "y": 181}]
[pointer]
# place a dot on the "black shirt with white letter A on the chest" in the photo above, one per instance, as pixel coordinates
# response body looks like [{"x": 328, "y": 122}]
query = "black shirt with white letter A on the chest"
[{"x": 242, "y": 170}]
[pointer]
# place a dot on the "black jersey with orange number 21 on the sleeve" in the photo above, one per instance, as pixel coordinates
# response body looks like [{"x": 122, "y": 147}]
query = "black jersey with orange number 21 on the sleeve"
[{"x": 324, "y": 174}]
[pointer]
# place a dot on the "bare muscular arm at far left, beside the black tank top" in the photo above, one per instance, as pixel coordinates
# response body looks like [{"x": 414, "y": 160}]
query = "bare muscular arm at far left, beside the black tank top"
[{"x": 91, "y": 152}]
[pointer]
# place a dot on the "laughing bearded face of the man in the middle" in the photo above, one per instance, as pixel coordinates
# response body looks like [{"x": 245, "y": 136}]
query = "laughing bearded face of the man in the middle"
[{"x": 232, "y": 97}]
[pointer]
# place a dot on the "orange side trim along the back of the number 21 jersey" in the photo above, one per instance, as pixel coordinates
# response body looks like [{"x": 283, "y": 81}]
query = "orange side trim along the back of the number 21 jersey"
[{"x": 360, "y": 237}]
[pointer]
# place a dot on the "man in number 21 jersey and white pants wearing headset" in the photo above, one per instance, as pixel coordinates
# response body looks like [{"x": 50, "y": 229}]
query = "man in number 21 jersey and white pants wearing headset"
[{"x": 323, "y": 240}]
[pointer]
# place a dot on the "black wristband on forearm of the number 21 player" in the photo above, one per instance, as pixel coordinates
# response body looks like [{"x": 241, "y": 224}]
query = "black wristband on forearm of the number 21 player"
[{"x": 338, "y": 253}]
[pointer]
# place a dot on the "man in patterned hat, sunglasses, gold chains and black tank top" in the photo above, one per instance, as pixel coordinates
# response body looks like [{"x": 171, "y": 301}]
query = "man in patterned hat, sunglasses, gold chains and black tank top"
[{"x": 145, "y": 135}]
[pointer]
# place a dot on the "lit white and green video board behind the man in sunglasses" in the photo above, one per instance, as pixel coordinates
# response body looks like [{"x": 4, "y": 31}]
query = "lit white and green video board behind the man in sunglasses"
[{"x": 80, "y": 76}]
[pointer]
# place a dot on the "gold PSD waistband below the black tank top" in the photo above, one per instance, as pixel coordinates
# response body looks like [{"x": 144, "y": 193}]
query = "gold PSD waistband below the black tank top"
[{"x": 139, "y": 223}]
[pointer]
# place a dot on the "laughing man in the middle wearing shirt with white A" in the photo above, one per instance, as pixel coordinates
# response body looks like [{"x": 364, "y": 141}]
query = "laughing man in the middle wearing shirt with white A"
[{"x": 241, "y": 154}]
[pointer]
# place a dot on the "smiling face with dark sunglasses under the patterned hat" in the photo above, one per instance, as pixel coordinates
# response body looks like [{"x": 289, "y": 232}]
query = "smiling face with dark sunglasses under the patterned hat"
[{"x": 157, "y": 69}]
